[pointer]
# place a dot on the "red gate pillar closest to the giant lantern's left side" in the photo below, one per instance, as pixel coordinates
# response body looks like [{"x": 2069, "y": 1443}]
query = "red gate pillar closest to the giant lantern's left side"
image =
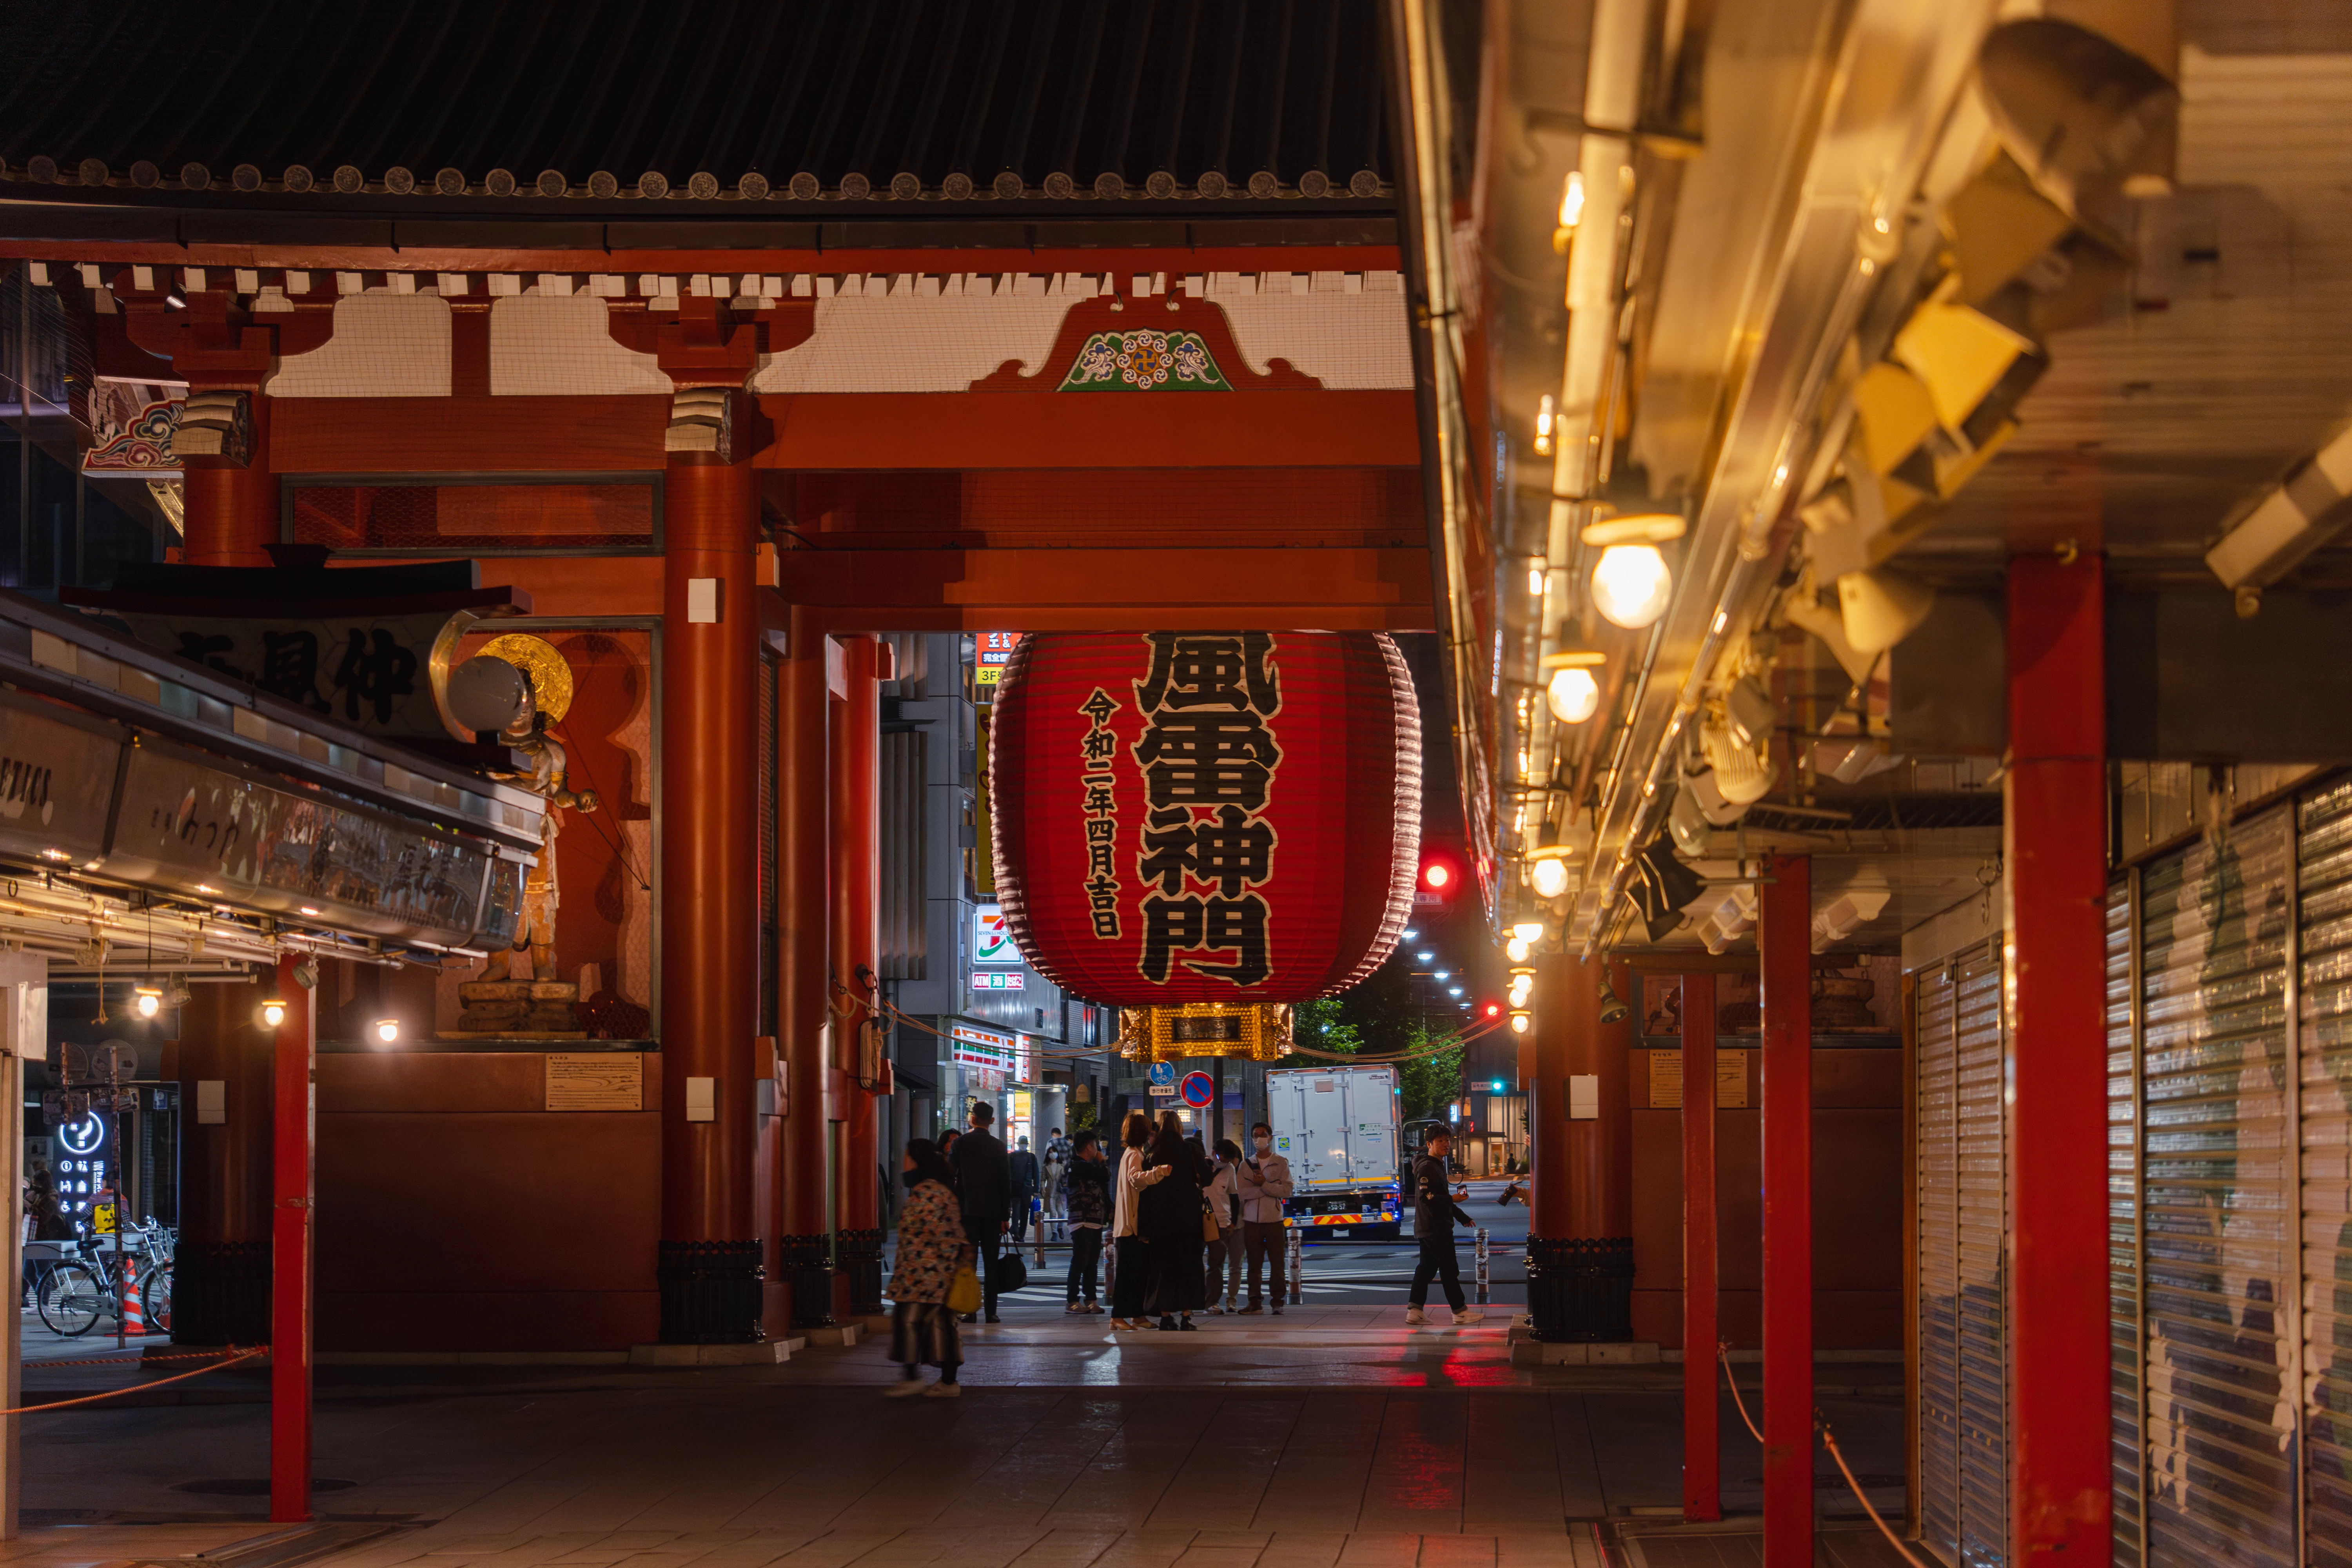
[{"x": 857, "y": 963}]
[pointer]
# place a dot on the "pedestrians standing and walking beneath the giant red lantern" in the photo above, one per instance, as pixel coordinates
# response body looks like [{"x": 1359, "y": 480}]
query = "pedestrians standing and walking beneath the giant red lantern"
[{"x": 1187, "y": 1231}]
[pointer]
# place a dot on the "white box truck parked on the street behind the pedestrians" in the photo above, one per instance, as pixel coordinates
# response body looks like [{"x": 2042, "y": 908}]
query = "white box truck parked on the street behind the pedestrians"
[{"x": 1339, "y": 1132}]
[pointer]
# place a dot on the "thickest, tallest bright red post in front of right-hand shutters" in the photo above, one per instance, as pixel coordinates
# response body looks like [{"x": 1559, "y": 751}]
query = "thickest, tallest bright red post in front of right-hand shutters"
[{"x": 2057, "y": 857}]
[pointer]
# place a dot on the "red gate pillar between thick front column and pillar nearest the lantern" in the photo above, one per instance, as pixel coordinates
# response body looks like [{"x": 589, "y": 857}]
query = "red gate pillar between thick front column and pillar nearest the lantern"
[{"x": 806, "y": 1221}]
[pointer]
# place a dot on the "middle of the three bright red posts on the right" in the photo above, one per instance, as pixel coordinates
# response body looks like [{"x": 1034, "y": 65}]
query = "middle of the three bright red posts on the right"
[{"x": 1786, "y": 949}]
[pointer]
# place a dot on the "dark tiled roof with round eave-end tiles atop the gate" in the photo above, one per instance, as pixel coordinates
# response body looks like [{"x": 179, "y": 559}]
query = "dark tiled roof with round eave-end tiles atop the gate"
[{"x": 700, "y": 100}]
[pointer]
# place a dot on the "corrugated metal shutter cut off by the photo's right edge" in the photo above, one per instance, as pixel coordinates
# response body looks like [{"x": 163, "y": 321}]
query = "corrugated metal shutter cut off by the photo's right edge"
[{"x": 2325, "y": 887}]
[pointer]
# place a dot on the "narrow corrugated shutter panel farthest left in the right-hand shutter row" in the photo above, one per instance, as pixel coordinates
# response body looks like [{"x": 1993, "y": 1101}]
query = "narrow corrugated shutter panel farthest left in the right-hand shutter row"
[{"x": 1939, "y": 1268}]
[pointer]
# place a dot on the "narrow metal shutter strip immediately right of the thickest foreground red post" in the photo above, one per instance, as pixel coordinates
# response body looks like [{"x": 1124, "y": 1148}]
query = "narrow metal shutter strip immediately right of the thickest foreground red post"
[{"x": 2125, "y": 1226}]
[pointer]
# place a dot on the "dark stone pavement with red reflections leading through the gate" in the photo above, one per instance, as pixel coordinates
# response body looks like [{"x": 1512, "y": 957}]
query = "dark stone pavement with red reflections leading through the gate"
[{"x": 1323, "y": 1440}]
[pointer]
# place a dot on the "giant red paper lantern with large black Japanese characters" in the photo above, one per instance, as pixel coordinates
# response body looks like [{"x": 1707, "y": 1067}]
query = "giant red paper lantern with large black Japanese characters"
[{"x": 1205, "y": 817}]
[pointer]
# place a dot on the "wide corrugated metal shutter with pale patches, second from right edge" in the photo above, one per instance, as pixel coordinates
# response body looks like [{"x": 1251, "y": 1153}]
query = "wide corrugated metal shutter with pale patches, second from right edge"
[{"x": 2221, "y": 1224}]
